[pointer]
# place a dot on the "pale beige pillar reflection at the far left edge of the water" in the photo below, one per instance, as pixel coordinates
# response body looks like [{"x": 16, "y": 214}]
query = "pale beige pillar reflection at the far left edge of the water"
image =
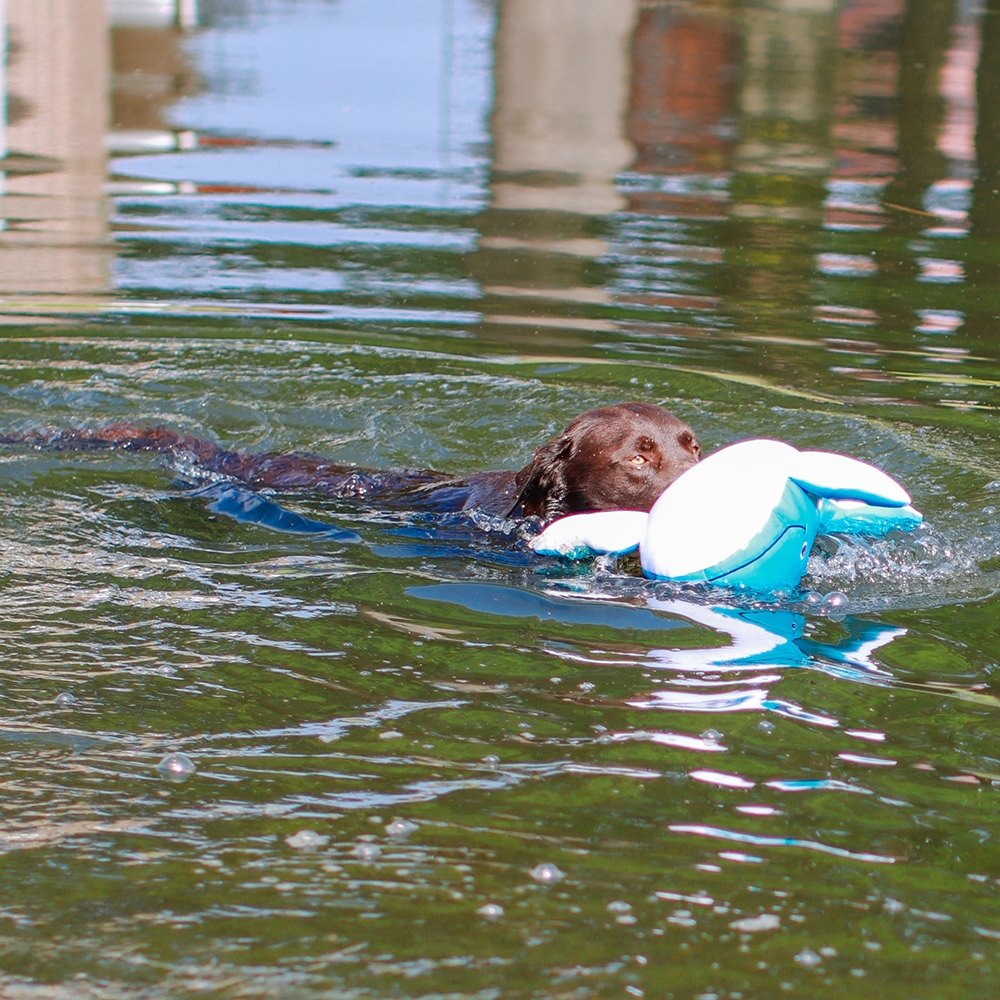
[{"x": 54, "y": 236}]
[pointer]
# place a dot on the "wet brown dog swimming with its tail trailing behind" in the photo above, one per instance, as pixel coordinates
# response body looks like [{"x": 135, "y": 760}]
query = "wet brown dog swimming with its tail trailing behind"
[{"x": 621, "y": 456}]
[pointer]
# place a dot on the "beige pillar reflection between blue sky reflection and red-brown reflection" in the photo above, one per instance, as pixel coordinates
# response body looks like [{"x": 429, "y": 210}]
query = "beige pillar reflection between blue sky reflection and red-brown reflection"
[{"x": 562, "y": 78}]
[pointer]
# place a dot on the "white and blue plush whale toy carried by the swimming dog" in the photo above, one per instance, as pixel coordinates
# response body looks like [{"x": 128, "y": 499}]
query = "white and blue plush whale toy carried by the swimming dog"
[{"x": 746, "y": 517}]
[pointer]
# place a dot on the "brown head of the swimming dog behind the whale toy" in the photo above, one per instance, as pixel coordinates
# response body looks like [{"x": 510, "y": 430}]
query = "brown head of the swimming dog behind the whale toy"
[{"x": 615, "y": 457}]
